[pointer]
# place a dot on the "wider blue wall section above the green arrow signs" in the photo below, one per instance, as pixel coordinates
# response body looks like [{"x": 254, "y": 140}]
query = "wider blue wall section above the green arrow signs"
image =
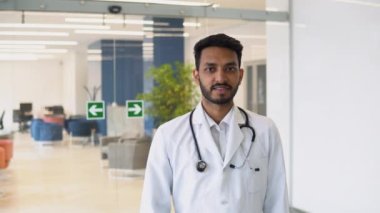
[{"x": 122, "y": 71}]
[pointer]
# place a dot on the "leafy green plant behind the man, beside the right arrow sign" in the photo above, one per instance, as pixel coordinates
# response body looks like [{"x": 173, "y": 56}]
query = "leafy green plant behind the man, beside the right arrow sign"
[{"x": 174, "y": 92}]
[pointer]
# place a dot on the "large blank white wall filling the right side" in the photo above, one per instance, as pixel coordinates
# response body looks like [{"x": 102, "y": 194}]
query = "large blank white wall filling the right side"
[{"x": 336, "y": 107}]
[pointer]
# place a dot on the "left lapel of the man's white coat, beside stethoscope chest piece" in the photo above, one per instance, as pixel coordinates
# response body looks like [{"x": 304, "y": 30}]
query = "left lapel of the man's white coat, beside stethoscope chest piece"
[{"x": 205, "y": 140}]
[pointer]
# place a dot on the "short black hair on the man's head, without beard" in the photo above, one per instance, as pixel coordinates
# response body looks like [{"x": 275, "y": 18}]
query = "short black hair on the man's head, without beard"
[{"x": 217, "y": 40}]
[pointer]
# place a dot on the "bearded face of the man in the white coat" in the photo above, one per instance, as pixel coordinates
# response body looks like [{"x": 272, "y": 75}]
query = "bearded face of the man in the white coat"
[{"x": 219, "y": 75}]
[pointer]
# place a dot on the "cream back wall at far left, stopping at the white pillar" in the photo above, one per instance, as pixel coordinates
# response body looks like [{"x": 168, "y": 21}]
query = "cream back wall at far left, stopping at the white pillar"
[{"x": 38, "y": 82}]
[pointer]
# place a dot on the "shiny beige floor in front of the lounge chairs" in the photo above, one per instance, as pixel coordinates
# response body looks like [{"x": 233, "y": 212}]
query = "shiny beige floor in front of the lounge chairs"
[{"x": 59, "y": 178}]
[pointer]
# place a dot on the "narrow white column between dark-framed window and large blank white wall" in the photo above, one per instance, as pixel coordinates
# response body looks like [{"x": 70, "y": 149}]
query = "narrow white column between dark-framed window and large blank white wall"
[{"x": 279, "y": 87}]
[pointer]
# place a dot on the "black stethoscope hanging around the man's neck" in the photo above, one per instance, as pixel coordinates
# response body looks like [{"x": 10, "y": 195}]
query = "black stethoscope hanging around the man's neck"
[{"x": 202, "y": 165}]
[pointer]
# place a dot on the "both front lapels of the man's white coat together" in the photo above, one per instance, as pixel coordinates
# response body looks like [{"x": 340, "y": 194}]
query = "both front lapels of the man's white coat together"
[{"x": 234, "y": 140}]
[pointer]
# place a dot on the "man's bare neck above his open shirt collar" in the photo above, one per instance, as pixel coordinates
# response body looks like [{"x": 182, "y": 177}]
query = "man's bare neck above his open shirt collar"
[{"x": 216, "y": 111}]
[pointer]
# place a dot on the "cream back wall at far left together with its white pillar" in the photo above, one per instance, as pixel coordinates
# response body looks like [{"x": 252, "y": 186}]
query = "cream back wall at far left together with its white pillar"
[{"x": 44, "y": 83}]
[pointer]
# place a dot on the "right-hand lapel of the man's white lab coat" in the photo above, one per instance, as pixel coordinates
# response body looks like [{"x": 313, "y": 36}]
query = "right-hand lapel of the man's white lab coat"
[{"x": 236, "y": 136}]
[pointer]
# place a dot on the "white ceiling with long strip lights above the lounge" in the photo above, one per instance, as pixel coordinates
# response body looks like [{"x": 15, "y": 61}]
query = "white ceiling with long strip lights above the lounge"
[{"x": 9, "y": 20}]
